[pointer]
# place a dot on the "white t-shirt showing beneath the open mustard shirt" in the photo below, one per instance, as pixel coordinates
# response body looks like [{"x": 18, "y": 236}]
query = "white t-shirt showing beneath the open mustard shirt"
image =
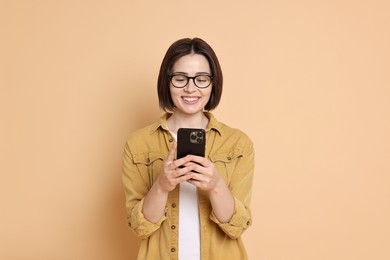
[{"x": 189, "y": 225}]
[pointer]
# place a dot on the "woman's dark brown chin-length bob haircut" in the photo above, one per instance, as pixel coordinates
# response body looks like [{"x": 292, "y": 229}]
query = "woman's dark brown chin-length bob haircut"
[{"x": 177, "y": 50}]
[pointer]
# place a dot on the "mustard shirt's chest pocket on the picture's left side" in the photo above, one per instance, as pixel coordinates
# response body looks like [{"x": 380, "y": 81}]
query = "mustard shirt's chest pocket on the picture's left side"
[{"x": 149, "y": 165}]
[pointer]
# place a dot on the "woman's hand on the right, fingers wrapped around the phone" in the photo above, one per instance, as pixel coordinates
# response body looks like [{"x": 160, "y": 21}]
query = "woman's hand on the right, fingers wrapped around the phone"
[{"x": 206, "y": 176}]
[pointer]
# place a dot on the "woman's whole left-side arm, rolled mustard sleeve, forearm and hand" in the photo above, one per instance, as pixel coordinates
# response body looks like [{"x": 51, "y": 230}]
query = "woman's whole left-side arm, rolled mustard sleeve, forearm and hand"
[{"x": 146, "y": 207}]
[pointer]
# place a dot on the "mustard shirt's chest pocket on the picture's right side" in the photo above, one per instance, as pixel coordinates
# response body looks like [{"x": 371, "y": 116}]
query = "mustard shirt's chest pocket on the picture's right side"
[{"x": 226, "y": 162}]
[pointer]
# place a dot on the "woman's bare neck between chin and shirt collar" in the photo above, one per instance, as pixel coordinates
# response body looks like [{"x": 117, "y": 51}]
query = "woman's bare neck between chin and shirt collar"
[{"x": 179, "y": 120}]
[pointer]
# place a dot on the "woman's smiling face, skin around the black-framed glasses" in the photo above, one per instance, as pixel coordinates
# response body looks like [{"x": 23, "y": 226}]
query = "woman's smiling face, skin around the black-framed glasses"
[{"x": 190, "y": 99}]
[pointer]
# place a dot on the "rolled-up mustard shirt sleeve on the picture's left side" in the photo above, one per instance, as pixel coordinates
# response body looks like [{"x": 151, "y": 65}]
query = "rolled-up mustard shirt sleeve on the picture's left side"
[{"x": 136, "y": 188}]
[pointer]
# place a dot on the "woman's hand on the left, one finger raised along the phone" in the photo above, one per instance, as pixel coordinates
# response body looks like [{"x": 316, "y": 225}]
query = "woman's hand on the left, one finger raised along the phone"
[{"x": 172, "y": 173}]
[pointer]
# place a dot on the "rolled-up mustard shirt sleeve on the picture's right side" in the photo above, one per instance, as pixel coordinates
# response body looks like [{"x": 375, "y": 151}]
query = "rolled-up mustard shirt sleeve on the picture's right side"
[{"x": 240, "y": 186}]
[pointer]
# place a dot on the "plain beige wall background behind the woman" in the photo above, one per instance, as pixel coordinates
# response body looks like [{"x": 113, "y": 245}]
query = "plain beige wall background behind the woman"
[{"x": 308, "y": 80}]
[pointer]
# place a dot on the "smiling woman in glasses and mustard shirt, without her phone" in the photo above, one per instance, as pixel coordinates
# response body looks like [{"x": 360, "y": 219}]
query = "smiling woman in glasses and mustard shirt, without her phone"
[{"x": 193, "y": 207}]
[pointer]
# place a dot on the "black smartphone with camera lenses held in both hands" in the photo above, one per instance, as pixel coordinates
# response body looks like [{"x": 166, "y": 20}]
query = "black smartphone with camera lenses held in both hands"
[{"x": 191, "y": 141}]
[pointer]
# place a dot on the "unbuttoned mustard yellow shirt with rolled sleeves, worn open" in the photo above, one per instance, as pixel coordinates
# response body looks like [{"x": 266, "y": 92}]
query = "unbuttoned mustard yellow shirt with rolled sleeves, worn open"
[{"x": 232, "y": 153}]
